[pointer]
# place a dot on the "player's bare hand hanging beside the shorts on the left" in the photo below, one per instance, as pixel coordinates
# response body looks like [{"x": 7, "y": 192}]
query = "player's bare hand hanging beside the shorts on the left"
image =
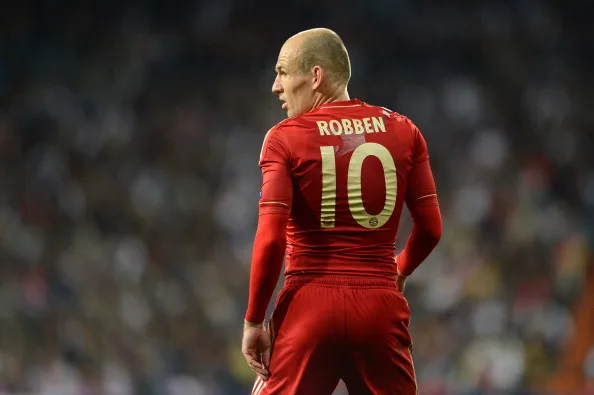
[{"x": 255, "y": 347}]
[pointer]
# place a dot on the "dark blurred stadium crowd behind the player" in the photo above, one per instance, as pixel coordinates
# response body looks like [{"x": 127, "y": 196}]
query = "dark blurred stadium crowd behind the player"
[{"x": 129, "y": 138}]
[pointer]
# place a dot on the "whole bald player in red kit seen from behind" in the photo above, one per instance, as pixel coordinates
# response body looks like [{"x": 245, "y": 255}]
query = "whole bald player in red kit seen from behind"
[{"x": 336, "y": 174}]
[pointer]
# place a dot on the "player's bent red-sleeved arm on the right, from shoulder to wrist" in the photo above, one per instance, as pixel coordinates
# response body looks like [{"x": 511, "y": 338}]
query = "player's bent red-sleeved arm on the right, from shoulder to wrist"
[{"x": 421, "y": 200}]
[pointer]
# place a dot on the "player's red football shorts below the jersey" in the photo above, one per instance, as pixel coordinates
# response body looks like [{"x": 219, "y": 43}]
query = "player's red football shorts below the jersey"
[{"x": 327, "y": 328}]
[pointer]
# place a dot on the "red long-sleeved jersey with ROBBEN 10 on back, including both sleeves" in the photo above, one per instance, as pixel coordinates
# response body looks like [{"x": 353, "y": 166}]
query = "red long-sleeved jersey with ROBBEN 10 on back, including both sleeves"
[{"x": 292, "y": 194}]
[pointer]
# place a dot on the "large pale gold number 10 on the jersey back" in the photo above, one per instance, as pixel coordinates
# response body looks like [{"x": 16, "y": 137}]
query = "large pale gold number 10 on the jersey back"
[{"x": 354, "y": 185}]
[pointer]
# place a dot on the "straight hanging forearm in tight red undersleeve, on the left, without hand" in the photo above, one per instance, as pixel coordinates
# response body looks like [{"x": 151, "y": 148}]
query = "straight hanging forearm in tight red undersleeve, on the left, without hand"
[{"x": 267, "y": 262}]
